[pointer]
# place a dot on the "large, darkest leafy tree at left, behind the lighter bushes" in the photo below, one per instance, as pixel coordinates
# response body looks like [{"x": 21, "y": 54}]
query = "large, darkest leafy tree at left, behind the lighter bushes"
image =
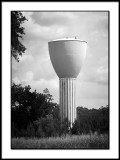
[{"x": 27, "y": 106}]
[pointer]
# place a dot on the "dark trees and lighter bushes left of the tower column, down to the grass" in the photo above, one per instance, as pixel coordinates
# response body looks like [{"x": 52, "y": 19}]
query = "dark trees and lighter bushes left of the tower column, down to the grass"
[{"x": 33, "y": 113}]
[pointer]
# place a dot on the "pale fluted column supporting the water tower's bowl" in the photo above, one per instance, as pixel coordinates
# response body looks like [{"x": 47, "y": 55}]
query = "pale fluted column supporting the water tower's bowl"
[{"x": 67, "y": 99}]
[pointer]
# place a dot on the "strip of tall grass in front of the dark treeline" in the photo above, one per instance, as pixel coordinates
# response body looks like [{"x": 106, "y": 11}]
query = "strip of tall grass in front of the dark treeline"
[{"x": 68, "y": 142}]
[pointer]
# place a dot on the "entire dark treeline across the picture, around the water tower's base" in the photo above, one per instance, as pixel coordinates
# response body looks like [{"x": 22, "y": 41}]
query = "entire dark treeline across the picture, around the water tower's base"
[{"x": 34, "y": 114}]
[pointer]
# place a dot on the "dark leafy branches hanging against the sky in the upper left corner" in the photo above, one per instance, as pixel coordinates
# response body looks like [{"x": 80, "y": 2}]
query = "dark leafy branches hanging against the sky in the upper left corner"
[{"x": 17, "y": 32}]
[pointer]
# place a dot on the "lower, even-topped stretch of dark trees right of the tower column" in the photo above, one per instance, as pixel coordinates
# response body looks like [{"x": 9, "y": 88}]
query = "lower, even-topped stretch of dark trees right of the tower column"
[{"x": 92, "y": 120}]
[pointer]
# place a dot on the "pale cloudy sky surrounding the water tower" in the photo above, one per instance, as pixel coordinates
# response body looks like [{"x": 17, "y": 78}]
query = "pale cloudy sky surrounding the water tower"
[{"x": 35, "y": 68}]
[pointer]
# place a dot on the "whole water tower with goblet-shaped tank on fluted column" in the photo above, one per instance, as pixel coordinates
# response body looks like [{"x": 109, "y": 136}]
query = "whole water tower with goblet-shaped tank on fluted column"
[{"x": 67, "y": 56}]
